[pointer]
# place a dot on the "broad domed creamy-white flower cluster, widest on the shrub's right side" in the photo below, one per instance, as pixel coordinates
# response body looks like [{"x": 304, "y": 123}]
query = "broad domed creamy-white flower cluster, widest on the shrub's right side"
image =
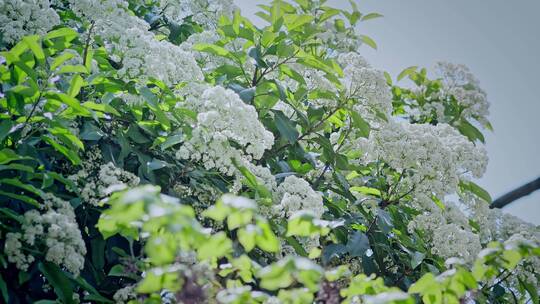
[{"x": 432, "y": 158}]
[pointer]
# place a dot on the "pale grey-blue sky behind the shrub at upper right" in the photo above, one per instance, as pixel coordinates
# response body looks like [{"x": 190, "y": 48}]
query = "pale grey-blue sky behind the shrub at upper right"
[{"x": 500, "y": 41}]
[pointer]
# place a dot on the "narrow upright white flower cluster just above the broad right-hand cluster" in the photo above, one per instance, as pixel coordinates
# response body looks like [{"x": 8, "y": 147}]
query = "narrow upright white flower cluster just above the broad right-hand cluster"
[{"x": 365, "y": 84}]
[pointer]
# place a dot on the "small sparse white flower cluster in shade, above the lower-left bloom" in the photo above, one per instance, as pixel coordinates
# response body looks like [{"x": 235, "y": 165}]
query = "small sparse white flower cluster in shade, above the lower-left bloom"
[{"x": 97, "y": 182}]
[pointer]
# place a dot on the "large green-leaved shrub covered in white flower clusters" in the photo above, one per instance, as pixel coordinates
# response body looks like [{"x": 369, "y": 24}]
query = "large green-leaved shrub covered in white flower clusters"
[{"x": 170, "y": 151}]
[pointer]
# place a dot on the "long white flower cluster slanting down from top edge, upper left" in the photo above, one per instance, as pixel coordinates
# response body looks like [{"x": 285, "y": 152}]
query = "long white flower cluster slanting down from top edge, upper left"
[{"x": 134, "y": 46}]
